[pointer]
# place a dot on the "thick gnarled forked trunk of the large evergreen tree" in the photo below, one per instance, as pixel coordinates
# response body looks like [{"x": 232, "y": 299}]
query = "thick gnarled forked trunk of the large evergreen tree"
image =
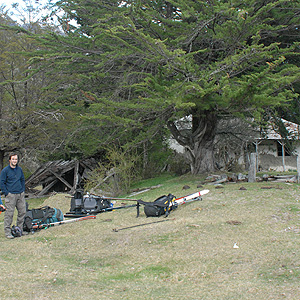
[{"x": 198, "y": 141}]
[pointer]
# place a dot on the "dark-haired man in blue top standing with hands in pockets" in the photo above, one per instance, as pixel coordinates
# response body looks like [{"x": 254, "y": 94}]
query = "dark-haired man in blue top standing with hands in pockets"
[{"x": 12, "y": 184}]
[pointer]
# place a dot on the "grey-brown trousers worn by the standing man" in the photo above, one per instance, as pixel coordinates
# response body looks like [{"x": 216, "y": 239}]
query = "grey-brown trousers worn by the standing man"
[{"x": 13, "y": 201}]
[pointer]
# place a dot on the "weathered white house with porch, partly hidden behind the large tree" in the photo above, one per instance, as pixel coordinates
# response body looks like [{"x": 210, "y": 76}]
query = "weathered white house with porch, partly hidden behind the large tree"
[{"x": 275, "y": 152}]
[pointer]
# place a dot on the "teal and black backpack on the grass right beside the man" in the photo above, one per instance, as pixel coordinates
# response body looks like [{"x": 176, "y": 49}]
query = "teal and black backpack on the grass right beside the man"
[{"x": 43, "y": 215}]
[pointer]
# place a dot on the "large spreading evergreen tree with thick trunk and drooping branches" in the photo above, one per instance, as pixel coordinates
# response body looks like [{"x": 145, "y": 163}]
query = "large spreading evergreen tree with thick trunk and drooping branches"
[{"x": 144, "y": 64}]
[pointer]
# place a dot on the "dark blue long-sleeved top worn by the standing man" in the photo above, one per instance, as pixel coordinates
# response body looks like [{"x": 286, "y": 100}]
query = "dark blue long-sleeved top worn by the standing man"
[{"x": 12, "y": 180}]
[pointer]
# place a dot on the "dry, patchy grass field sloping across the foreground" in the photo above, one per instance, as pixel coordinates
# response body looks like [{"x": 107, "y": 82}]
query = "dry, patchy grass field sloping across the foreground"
[{"x": 190, "y": 256}]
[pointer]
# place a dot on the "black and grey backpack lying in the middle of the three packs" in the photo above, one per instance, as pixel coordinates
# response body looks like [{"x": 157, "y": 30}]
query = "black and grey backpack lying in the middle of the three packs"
[{"x": 88, "y": 204}]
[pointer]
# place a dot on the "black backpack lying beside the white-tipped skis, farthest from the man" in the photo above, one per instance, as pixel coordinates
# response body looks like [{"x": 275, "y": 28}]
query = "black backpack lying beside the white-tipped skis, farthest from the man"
[{"x": 161, "y": 206}]
